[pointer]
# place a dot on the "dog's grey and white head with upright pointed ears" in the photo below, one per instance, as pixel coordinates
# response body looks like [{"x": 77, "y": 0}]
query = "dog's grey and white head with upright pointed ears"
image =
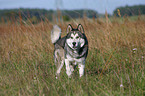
[{"x": 75, "y": 37}]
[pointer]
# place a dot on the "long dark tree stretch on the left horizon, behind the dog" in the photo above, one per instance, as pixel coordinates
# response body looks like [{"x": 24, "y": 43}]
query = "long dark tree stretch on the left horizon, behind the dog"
[{"x": 36, "y": 15}]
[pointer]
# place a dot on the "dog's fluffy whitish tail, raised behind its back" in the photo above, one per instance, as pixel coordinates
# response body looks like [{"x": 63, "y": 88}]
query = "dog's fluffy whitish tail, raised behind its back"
[{"x": 55, "y": 34}]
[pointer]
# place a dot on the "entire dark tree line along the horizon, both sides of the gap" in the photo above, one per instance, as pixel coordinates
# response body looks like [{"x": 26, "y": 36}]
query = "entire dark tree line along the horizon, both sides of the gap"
[{"x": 37, "y": 15}]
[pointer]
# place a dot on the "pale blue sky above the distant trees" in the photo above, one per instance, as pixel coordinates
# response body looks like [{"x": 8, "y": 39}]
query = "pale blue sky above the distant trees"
[{"x": 99, "y": 5}]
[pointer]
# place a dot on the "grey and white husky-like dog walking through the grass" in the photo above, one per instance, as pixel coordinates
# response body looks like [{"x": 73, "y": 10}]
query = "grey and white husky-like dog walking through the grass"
[{"x": 71, "y": 49}]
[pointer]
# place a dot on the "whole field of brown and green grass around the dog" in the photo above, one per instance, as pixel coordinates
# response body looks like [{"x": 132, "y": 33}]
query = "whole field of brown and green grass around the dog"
[{"x": 115, "y": 64}]
